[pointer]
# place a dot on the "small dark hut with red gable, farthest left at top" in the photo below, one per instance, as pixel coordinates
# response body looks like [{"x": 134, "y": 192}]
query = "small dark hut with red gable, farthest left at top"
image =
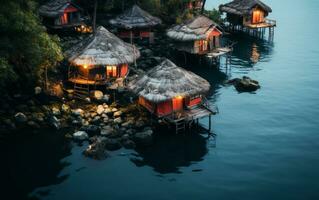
[{"x": 58, "y": 14}]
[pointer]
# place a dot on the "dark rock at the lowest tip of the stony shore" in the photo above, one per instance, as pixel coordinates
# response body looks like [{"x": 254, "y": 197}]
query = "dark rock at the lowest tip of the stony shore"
[{"x": 97, "y": 149}]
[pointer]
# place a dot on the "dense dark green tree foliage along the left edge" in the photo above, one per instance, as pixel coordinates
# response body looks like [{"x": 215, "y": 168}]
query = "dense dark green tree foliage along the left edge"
[{"x": 26, "y": 49}]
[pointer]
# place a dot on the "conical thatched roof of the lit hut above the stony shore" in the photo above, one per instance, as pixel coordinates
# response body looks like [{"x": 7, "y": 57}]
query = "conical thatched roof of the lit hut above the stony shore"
[{"x": 103, "y": 48}]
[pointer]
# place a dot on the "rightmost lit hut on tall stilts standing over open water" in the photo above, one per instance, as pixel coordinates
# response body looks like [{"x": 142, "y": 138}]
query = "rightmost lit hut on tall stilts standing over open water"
[{"x": 248, "y": 15}]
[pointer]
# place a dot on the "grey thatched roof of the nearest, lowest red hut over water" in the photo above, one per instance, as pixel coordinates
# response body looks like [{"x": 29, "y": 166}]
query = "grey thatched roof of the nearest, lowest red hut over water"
[{"x": 167, "y": 81}]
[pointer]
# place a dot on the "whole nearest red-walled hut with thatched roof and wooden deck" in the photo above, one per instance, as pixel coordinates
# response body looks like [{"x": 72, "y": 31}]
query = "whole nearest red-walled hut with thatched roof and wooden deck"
[{"x": 173, "y": 94}]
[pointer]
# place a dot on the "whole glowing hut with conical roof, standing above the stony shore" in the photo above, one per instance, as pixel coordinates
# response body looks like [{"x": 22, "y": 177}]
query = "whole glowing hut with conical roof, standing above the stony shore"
[{"x": 101, "y": 60}]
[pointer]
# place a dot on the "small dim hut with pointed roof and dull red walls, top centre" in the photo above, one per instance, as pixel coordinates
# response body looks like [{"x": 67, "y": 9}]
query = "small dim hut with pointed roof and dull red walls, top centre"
[{"x": 135, "y": 23}]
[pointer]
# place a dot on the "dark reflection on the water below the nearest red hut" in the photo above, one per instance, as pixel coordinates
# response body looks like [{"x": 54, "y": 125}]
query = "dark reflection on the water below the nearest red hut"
[{"x": 170, "y": 152}]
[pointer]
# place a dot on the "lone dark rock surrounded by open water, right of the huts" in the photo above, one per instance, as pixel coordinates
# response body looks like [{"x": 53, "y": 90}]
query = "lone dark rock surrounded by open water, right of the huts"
[{"x": 245, "y": 84}]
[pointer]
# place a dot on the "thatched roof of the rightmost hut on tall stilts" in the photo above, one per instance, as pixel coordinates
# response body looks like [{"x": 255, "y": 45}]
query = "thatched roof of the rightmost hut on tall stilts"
[{"x": 243, "y": 7}]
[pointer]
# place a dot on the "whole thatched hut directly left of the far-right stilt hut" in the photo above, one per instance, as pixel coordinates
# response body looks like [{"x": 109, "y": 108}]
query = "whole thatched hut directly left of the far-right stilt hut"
[{"x": 200, "y": 36}]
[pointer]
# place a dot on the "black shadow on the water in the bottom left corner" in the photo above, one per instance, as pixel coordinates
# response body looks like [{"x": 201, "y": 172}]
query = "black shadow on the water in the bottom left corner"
[{"x": 32, "y": 161}]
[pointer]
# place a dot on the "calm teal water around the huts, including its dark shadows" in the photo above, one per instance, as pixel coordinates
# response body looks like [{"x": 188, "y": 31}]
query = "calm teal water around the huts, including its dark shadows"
[{"x": 267, "y": 145}]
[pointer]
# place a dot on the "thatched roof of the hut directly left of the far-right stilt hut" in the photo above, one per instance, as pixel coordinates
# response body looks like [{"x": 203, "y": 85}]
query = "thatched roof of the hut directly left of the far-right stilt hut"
[{"x": 194, "y": 29}]
